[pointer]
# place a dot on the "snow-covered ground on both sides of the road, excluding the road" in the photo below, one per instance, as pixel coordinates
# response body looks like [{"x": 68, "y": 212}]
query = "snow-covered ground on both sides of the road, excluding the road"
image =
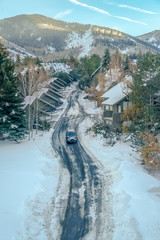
[{"x": 32, "y": 181}]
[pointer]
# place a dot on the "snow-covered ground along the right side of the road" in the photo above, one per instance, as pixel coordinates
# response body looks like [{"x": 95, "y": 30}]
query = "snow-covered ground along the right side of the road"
[{"x": 131, "y": 203}]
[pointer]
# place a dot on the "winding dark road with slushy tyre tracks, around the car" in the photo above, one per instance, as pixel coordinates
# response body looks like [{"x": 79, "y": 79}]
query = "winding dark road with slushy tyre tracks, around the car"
[{"x": 85, "y": 186}]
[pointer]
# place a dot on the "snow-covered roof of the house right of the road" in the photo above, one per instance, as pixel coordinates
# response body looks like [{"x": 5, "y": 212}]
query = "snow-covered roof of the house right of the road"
[{"x": 114, "y": 95}]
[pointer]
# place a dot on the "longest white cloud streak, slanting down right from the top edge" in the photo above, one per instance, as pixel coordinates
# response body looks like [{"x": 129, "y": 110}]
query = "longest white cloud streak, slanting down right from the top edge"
[{"x": 105, "y": 12}]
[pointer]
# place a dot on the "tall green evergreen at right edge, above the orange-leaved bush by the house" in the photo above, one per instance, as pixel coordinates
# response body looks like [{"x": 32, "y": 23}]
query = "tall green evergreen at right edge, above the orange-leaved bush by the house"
[{"x": 145, "y": 90}]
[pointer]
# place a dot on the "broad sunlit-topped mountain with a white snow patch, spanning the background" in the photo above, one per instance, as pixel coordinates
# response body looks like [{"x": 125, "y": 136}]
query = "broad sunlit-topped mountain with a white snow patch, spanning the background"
[{"x": 52, "y": 39}]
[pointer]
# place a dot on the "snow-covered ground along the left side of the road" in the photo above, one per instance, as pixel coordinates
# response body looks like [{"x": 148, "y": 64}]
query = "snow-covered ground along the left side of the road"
[{"x": 30, "y": 177}]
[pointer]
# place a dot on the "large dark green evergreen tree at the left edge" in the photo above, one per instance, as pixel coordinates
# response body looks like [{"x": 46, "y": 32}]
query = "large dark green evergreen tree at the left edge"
[{"x": 12, "y": 116}]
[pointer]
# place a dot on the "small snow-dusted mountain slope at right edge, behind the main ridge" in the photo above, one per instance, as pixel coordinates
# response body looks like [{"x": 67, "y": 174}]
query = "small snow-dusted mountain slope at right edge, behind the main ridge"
[{"x": 152, "y": 38}]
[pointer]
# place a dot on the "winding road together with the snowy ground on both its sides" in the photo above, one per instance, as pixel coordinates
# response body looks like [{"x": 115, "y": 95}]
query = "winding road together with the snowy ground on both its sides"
[{"x": 69, "y": 195}]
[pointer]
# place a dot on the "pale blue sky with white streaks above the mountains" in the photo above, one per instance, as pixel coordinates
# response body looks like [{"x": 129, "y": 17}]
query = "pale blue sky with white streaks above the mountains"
[{"x": 133, "y": 17}]
